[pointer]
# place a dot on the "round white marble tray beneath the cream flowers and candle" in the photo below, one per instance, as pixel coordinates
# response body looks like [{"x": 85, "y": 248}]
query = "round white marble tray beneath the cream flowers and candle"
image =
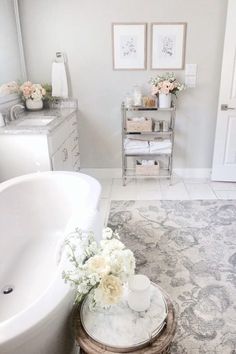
[{"x": 122, "y": 327}]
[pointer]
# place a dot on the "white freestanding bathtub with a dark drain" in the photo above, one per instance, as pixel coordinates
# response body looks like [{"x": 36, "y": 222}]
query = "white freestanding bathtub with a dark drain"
[{"x": 36, "y": 213}]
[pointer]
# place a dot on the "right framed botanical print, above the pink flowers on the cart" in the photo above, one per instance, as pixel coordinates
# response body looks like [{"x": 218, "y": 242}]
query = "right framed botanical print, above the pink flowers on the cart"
[{"x": 168, "y": 42}]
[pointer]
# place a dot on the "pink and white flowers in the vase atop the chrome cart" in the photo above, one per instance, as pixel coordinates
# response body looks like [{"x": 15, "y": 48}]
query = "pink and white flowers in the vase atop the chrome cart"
[{"x": 166, "y": 84}]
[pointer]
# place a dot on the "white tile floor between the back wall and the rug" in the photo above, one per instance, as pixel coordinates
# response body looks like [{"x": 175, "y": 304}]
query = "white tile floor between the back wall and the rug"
[{"x": 153, "y": 189}]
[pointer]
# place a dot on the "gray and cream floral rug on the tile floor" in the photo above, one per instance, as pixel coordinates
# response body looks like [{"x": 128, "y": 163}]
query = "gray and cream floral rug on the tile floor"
[{"x": 189, "y": 249}]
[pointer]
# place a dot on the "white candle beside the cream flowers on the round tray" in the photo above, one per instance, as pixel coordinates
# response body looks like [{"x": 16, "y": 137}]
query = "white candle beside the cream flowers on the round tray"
[{"x": 139, "y": 292}]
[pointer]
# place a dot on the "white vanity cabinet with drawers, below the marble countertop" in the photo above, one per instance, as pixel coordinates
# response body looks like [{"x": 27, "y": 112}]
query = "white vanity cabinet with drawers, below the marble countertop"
[{"x": 23, "y": 152}]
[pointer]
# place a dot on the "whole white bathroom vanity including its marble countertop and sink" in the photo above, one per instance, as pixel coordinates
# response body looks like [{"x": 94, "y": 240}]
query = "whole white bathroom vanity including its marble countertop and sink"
[{"x": 40, "y": 141}]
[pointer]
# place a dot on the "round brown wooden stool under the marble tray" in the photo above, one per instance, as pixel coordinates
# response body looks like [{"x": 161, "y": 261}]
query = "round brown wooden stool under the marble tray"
[{"x": 160, "y": 345}]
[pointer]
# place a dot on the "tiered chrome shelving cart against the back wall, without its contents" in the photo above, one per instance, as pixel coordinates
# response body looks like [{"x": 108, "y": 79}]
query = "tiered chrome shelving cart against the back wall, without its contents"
[{"x": 166, "y": 170}]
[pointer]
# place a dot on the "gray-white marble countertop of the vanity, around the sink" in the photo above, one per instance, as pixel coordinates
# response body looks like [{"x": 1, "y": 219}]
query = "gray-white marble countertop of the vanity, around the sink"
[{"x": 59, "y": 114}]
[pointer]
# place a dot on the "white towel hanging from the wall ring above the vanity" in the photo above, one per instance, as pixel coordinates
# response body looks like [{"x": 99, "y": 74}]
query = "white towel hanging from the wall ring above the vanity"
[{"x": 59, "y": 80}]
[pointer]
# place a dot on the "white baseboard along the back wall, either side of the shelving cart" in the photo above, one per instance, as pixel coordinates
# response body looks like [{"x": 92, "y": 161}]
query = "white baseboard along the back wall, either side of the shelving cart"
[{"x": 117, "y": 173}]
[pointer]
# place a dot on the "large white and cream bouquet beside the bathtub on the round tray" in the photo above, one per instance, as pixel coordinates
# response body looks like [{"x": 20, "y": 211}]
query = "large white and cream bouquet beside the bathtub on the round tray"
[{"x": 98, "y": 270}]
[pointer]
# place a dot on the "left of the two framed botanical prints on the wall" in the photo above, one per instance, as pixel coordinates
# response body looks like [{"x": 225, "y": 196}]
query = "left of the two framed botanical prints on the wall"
[{"x": 129, "y": 41}]
